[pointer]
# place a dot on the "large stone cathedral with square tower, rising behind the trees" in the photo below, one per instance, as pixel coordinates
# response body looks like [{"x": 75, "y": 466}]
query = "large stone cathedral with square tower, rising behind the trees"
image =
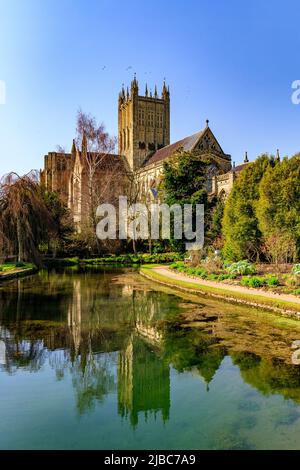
[{"x": 143, "y": 146}]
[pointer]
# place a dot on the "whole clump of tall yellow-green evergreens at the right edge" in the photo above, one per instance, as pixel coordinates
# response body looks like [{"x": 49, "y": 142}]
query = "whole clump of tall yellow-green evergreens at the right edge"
[{"x": 262, "y": 214}]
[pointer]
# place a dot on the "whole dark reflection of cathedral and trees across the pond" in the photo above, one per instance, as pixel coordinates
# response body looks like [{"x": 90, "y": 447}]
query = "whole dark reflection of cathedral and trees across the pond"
[{"x": 115, "y": 337}]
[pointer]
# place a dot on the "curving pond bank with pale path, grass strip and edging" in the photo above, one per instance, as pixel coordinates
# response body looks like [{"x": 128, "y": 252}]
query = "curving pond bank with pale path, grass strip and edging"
[{"x": 285, "y": 304}]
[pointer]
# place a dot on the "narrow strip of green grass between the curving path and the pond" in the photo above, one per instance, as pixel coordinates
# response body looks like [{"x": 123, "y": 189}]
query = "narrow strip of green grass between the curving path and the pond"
[{"x": 221, "y": 291}]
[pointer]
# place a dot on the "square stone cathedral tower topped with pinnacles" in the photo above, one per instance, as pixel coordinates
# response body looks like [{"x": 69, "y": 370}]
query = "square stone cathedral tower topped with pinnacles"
[{"x": 143, "y": 123}]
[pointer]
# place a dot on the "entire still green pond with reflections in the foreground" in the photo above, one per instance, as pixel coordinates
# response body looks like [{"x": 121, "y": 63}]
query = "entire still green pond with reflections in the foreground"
[{"x": 103, "y": 359}]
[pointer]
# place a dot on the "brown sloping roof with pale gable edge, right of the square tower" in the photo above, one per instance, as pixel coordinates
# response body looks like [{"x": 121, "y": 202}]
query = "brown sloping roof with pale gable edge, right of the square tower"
[{"x": 187, "y": 144}]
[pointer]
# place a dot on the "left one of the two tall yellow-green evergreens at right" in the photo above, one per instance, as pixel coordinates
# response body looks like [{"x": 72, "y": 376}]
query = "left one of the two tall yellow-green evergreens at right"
[{"x": 240, "y": 224}]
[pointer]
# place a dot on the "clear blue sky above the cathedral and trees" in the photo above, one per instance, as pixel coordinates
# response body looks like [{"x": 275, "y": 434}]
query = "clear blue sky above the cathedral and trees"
[{"x": 230, "y": 61}]
